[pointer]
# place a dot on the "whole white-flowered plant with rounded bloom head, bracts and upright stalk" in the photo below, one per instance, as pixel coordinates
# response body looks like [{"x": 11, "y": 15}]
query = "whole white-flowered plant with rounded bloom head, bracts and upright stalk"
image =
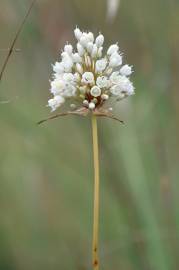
[{"x": 90, "y": 80}]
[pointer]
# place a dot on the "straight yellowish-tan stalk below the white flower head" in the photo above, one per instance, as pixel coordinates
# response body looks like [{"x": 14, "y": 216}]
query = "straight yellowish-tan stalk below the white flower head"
[{"x": 96, "y": 194}]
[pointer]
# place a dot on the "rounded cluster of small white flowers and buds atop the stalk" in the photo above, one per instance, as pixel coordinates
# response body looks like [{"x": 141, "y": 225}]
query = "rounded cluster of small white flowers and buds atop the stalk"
[{"x": 87, "y": 77}]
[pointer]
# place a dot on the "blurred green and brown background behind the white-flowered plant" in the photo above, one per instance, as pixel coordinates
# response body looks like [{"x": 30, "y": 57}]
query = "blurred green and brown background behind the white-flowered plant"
[{"x": 46, "y": 172}]
